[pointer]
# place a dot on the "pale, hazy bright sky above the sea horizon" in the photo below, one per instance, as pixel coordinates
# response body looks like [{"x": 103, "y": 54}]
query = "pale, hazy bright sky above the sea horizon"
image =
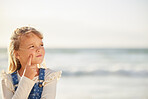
[{"x": 78, "y": 23}]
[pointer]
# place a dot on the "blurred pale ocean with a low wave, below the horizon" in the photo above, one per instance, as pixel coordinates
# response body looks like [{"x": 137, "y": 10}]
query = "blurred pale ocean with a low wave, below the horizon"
[{"x": 97, "y": 73}]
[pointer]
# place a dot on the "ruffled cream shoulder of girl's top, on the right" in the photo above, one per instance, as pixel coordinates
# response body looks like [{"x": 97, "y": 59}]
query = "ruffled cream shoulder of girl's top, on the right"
[{"x": 51, "y": 75}]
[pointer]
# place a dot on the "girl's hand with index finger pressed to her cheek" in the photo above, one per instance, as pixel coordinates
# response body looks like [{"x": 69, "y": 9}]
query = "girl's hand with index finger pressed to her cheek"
[{"x": 30, "y": 70}]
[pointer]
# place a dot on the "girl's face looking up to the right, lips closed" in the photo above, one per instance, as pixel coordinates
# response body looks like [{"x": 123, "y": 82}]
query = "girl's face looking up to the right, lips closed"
[{"x": 30, "y": 44}]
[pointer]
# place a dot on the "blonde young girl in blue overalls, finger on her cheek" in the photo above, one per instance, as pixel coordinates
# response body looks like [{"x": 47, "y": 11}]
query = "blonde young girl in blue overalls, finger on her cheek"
[{"x": 28, "y": 78}]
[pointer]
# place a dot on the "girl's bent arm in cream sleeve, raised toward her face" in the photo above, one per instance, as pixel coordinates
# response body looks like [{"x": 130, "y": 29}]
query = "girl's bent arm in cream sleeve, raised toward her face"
[{"x": 24, "y": 87}]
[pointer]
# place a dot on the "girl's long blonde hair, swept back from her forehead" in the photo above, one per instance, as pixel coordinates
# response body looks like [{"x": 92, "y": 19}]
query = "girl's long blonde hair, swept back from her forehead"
[{"x": 14, "y": 63}]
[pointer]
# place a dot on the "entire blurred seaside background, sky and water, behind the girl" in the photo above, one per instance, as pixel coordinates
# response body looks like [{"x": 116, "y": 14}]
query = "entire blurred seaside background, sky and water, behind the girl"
[{"x": 100, "y": 45}]
